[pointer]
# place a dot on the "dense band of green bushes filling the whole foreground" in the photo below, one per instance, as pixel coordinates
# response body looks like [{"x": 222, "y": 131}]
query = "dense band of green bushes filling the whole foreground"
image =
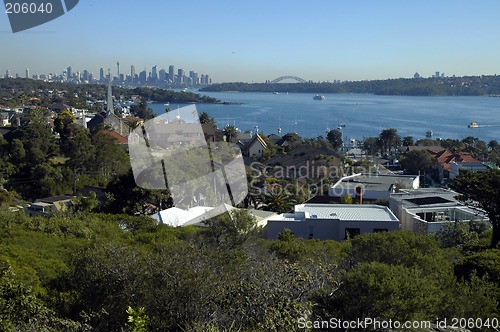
[{"x": 93, "y": 268}]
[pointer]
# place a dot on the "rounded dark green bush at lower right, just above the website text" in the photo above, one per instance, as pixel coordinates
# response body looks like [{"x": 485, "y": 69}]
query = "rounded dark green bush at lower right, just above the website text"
[{"x": 384, "y": 291}]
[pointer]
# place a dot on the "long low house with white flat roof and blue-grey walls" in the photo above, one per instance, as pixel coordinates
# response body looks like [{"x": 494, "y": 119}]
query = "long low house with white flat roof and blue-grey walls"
[{"x": 332, "y": 221}]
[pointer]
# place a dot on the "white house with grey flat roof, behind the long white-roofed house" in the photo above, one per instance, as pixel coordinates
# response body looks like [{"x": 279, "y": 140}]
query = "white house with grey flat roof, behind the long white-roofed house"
[{"x": 373, "y": 186}]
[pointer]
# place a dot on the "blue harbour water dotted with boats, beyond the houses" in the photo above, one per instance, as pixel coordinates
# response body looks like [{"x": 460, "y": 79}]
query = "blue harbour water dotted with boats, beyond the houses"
[{"x": 364, "y": 115}]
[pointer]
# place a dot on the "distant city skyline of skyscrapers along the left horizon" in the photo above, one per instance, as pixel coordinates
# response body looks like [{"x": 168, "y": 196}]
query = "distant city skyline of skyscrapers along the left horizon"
[{"x": 154, "y": 77}]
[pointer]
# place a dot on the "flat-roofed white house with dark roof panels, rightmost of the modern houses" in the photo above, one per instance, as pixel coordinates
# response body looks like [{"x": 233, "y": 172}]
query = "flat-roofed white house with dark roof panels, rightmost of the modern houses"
[{"x": 427, "y": 210}]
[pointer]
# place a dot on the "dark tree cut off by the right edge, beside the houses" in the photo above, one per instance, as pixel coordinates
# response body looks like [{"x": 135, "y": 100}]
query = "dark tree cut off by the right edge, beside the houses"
[{"x": 482, "y": 190}]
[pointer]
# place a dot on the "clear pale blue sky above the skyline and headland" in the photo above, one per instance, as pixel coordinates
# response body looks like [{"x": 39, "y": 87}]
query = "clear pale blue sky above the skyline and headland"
[{"x": 262, "y": 40}]
